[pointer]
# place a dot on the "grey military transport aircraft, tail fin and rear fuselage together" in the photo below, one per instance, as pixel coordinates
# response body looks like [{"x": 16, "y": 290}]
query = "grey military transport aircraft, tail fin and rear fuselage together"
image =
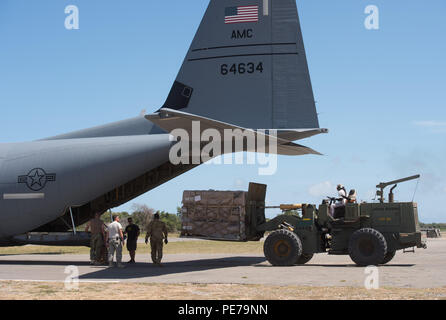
[{"x": 246, "y": 69}]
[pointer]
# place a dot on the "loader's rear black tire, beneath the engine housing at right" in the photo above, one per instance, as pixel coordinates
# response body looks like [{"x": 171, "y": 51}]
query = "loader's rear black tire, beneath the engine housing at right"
[{"x": 367, "y": 247}]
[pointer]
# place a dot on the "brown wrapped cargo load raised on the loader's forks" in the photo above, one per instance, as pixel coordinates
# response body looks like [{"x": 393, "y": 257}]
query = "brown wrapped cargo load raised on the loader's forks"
[{"x": 223, "y": 215}]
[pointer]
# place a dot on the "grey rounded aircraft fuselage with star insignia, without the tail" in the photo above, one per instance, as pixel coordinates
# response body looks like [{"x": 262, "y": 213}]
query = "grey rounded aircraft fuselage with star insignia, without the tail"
[{"x": 40, "y": 180}]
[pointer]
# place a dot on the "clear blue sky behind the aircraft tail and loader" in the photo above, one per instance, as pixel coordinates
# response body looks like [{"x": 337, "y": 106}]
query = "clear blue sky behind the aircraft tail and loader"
[{"x": 380, "y": 92}]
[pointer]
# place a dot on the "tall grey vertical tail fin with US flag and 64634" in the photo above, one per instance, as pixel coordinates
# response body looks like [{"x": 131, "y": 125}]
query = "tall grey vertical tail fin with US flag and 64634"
[{"x": 247, "y": 66}]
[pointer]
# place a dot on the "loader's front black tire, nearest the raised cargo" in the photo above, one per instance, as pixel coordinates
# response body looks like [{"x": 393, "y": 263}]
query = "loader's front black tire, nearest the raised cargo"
[{"x": 282, "y": 248}]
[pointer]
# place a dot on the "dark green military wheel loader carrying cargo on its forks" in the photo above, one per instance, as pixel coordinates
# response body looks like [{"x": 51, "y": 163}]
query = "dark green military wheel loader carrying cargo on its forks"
[{"x": 370, "y": 233}]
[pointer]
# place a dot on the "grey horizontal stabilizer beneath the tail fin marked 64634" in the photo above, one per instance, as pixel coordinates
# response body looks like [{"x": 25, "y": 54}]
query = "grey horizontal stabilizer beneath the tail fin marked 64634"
[{"x": 171, "y": 120}]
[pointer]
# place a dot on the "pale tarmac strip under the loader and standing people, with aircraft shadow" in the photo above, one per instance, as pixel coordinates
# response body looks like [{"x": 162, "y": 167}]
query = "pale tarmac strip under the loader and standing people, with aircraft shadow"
[{"x": 422, "y": 269}]
